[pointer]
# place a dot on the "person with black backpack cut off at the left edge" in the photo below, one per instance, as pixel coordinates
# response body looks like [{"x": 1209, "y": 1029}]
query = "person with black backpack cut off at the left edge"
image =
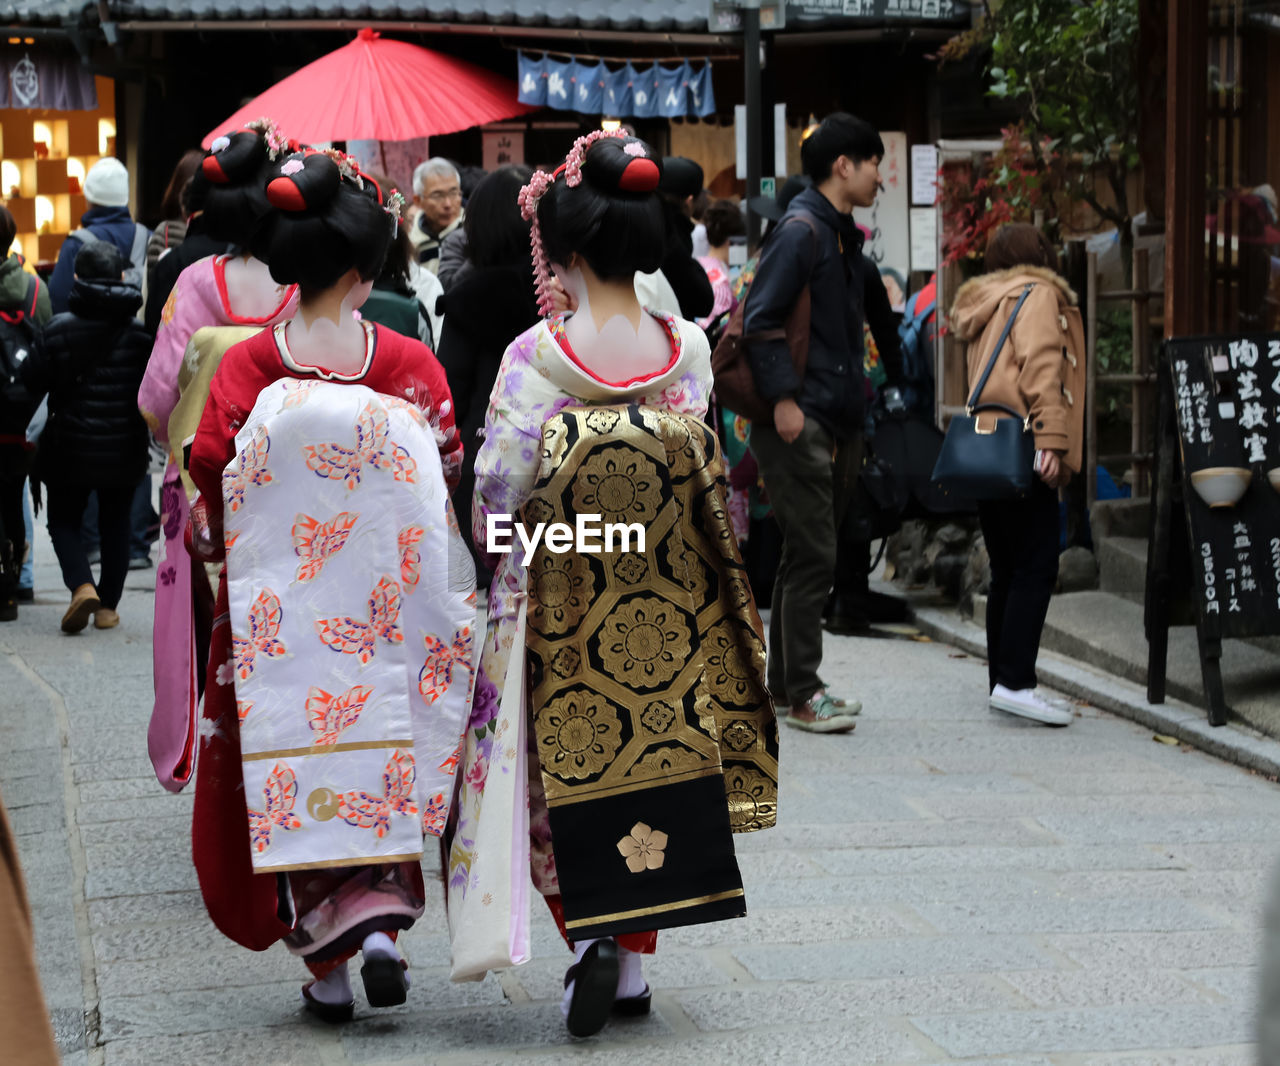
[{"x": 24, "y": 309}]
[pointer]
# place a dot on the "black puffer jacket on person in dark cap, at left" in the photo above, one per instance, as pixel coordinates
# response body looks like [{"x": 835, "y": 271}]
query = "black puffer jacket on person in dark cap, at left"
[{"x": 90, "y": 360}]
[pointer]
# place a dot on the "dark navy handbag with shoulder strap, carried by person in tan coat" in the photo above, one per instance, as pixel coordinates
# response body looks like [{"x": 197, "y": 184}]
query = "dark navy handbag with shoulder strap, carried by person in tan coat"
[{"x": 995, "y": 463}]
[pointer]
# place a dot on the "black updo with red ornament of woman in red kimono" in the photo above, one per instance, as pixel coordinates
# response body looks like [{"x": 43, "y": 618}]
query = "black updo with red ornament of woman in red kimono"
[{"x": 324, "y": 223}]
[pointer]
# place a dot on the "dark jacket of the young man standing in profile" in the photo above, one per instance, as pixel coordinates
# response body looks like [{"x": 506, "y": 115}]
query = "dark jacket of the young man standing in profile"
[{"x": 830, "y": 259}]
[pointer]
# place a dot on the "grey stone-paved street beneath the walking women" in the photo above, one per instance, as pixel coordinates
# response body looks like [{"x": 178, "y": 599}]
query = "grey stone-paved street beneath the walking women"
[{"x": 944, "y": 886}]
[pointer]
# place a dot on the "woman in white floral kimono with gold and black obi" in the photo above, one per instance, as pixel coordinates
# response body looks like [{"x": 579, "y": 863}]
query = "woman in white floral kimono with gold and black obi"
[{"x": 651, "y": 736}]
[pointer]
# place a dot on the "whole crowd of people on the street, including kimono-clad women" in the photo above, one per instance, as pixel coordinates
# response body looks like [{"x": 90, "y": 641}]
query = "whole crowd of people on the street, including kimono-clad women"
[{"x": 348, "y": 388}]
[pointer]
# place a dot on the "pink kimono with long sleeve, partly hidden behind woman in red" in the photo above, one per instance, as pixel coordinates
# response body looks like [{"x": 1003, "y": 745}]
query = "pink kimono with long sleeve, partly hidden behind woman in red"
[{"x": 184, "y": 607}]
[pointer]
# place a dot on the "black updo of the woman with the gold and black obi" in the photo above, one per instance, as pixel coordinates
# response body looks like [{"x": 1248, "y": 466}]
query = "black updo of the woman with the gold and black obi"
[{"x": 614, "y": 218}]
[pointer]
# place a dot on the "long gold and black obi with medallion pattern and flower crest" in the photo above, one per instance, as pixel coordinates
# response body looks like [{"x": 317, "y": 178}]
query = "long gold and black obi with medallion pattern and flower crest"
[{"x": 651, "y": 720}]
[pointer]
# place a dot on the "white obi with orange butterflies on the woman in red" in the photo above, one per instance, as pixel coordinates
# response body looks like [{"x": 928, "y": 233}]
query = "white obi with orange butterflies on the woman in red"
[{"x": 353, "y": 612}]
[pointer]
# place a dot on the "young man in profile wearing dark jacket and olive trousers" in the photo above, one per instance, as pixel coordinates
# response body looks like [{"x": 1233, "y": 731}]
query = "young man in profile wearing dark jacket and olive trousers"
[{"x": 810, "y": 457}]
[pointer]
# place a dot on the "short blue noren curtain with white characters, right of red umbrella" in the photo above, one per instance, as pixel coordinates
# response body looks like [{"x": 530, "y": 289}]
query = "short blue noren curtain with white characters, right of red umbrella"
[{"x": 588, "y": 86}]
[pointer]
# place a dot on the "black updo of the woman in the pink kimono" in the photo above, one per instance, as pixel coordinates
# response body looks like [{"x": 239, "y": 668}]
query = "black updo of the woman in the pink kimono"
[{"x": 228, "y": 189}]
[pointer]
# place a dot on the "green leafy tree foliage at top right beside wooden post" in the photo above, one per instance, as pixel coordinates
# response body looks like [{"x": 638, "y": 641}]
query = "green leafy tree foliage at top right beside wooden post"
[{"x": 1069, "y": 67}]
